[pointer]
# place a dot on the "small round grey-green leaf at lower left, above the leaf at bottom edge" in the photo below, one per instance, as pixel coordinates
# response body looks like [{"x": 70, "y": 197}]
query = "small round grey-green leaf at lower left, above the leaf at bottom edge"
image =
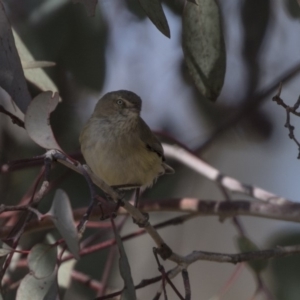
[{"x": 42, "y": 260}]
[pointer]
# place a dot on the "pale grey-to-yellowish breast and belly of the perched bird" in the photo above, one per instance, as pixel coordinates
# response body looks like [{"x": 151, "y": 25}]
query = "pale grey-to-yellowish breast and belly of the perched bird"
[{"x": 119, "y": 159}]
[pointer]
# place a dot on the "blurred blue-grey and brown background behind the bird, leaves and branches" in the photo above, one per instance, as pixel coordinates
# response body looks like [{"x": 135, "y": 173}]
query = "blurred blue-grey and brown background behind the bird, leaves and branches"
[{"x": 119, "y": 48}]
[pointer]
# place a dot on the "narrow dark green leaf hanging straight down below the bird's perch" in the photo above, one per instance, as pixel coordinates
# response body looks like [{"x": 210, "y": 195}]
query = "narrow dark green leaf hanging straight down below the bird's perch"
[{"x": 125, "y": 270}]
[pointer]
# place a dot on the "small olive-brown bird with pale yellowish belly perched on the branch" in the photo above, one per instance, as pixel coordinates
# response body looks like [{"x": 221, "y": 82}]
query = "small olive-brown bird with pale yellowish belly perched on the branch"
[{"x": 118, "y": 145}]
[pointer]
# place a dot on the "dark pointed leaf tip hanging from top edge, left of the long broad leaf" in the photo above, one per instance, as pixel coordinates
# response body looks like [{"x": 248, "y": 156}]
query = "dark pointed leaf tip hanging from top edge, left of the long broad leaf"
[{"x": 154, "y": 11}]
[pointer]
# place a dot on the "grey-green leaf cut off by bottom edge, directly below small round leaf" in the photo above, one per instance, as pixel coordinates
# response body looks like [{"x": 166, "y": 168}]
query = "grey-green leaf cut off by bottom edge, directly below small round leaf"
[{"x": 32, "y": 288}]
